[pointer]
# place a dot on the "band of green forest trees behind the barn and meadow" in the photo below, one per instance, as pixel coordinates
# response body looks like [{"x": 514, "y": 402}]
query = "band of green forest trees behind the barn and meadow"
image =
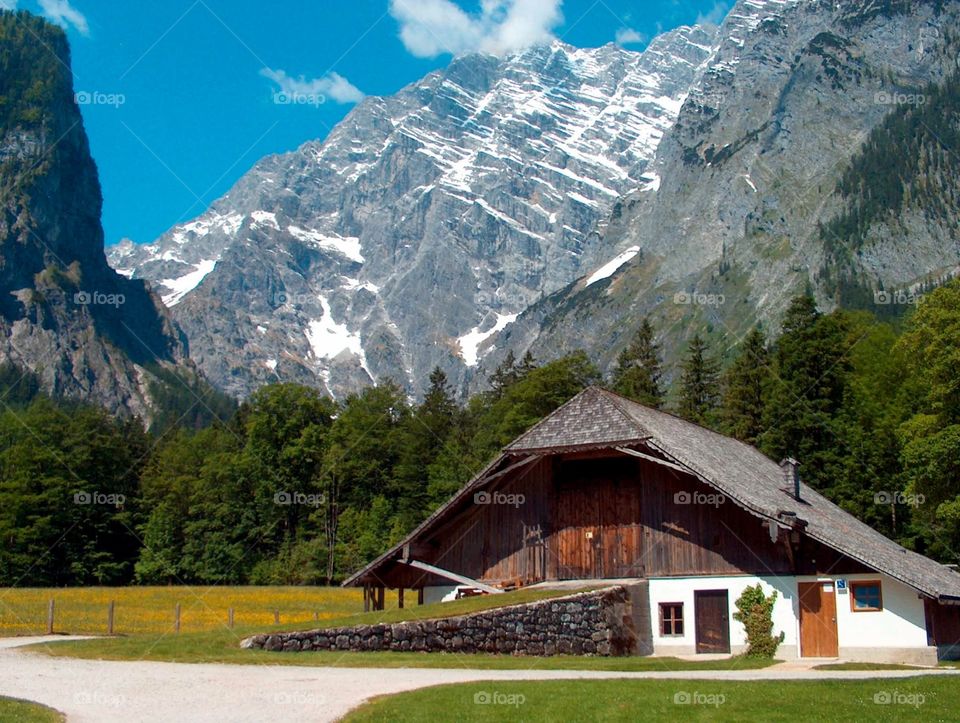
[{"x": 295, "y": 488}]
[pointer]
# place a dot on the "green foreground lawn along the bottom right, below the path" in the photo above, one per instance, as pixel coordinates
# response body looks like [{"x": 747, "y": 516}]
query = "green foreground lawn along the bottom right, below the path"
[{"x": 911, "y": 699}]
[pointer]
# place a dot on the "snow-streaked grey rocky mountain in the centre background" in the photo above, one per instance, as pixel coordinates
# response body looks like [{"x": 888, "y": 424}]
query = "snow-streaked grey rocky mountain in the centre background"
[{"x": 426, "y": 221}]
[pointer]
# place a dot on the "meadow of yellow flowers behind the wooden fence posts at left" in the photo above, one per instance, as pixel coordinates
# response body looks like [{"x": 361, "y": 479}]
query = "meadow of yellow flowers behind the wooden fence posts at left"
[{"x": 152, "y": 609}]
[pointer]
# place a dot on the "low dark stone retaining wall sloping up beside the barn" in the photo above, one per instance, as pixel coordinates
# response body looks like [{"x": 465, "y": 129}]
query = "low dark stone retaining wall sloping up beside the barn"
[{"x": 591, "y": 623}]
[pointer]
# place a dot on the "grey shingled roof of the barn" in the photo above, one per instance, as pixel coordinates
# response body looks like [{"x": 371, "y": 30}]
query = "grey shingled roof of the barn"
[{"x": 597, "y": 418}]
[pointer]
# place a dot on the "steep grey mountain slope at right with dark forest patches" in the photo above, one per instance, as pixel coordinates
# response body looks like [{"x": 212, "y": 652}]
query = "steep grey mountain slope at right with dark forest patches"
[{"x": 816, "y": 149}]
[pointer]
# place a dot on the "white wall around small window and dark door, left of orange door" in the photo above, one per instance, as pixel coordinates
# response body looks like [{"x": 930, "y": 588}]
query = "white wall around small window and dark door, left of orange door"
[{"x": 681, "y": 590}]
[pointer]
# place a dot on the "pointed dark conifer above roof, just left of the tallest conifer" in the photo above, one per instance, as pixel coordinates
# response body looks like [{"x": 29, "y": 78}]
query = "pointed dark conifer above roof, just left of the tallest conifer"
[{"x": 745, "y": 387}]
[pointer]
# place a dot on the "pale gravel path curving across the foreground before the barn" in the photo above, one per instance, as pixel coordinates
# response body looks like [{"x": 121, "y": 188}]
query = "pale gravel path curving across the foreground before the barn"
[{"x": 130, "y": 692}]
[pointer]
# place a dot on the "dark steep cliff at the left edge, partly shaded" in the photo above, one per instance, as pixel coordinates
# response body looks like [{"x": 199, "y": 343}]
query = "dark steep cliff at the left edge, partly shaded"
[{"x": 86, "y": 331}]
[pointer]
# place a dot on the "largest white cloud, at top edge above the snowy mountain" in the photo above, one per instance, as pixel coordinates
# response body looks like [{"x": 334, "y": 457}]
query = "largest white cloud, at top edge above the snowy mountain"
[{"x": 434, "y": 27}]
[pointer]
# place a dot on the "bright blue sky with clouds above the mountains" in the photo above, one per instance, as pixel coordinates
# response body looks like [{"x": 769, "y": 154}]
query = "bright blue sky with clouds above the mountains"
[{"x": 181, "y": 97}]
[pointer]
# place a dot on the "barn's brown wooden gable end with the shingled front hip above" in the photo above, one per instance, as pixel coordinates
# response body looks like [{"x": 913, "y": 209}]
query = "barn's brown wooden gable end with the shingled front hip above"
[{"x": 606, "y": 504}]
